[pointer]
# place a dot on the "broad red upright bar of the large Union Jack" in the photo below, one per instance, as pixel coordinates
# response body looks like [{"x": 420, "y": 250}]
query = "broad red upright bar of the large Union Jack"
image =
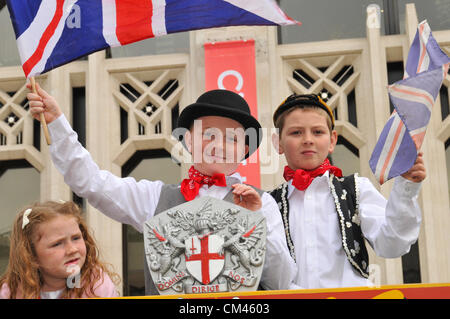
[{"x": 133, "y": 20}]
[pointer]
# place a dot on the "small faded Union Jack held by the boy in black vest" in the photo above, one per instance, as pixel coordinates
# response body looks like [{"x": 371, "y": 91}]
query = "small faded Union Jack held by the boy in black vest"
[{"x": 413, "y": 98}]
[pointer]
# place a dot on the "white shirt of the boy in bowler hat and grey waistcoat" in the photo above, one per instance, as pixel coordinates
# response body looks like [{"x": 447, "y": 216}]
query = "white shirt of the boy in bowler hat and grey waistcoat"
[{"x": 131, "y": 202}]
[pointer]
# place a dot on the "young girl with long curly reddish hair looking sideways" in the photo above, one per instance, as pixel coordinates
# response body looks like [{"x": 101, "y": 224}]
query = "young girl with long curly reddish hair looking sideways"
[{"x": 53, "y": 255}]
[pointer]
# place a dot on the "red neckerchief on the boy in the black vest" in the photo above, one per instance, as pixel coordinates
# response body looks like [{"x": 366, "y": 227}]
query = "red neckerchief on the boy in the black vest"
[{"x": 302, "y": 179}]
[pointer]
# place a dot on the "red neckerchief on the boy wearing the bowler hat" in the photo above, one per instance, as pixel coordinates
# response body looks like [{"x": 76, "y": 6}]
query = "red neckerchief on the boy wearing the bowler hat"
[{"x": 191, "y": 186}]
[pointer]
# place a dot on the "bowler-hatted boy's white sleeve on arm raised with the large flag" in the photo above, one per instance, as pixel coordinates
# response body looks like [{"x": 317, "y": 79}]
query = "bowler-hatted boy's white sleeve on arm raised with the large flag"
[{"x": 122, "y": 199}]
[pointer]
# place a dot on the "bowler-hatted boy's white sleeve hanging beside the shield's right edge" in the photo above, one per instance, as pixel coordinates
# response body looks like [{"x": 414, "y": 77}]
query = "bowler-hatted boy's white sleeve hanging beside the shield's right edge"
[{"x": 279, "y": 267}]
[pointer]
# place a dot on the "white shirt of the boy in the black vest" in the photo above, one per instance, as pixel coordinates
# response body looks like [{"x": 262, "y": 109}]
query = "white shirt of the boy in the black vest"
[{"x": 391, "y": 227}]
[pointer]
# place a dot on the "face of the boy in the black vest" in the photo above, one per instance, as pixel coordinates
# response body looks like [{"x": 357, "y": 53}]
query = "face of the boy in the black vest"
[{"x": 306, "y": 140}]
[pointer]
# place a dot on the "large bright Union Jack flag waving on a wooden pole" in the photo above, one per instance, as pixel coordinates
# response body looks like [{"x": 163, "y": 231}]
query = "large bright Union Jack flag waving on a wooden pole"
[{"x": 54, "y": 32}]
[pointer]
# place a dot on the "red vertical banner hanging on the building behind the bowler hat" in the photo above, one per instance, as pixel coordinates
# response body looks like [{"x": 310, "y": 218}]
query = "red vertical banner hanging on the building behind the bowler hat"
[{"x": 231, "y": 66}]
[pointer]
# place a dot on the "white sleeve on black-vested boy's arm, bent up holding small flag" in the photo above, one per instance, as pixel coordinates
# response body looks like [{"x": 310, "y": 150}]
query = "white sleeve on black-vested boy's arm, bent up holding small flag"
[{"x": 392, "y": 226}]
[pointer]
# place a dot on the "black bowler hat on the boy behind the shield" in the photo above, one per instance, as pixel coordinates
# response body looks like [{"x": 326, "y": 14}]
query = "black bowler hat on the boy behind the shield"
[{"x": 226, "y": 104}]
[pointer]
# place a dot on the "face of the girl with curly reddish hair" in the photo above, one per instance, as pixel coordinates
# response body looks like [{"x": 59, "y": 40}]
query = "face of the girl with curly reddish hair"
[{"x": 60, "y": 248}]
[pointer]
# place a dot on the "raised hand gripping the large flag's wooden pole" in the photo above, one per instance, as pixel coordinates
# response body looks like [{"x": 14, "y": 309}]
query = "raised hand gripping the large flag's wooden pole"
[{"x": 43, "y": 102}]
